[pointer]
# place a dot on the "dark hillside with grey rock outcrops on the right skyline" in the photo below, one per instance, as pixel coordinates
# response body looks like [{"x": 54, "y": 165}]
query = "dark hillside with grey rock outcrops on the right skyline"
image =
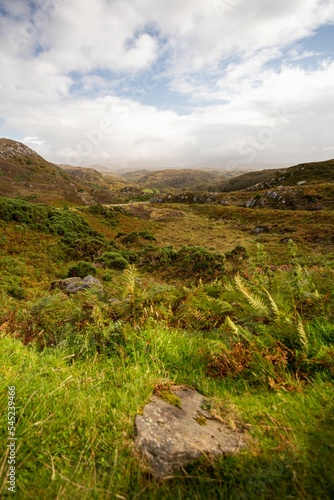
[{"x": 308, "y": 186}]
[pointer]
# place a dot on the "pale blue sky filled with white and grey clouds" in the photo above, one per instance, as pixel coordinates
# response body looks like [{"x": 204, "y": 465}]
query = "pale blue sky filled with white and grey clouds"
[{"x": 158, "y": 83}]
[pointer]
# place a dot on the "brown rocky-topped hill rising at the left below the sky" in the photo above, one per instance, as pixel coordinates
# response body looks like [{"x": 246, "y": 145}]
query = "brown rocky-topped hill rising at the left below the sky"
[{"x": 25, "y": 173}]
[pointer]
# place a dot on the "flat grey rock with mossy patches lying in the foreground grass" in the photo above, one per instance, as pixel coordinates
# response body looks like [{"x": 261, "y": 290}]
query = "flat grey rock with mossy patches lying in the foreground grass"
[{"x": 171, "y": 438}]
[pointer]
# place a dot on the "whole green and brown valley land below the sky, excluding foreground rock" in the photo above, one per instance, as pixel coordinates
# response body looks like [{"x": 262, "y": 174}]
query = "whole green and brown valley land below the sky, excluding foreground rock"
[{"x": 218, "y": 283}]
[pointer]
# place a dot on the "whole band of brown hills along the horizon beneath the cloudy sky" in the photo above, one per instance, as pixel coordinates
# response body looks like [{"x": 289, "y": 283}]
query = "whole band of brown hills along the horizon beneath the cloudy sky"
[{"x": 25, "y": 173}]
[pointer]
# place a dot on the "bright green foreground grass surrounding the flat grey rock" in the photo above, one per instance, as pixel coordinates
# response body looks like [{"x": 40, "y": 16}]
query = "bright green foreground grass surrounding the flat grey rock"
[{"x": 75, "y": 424}]
